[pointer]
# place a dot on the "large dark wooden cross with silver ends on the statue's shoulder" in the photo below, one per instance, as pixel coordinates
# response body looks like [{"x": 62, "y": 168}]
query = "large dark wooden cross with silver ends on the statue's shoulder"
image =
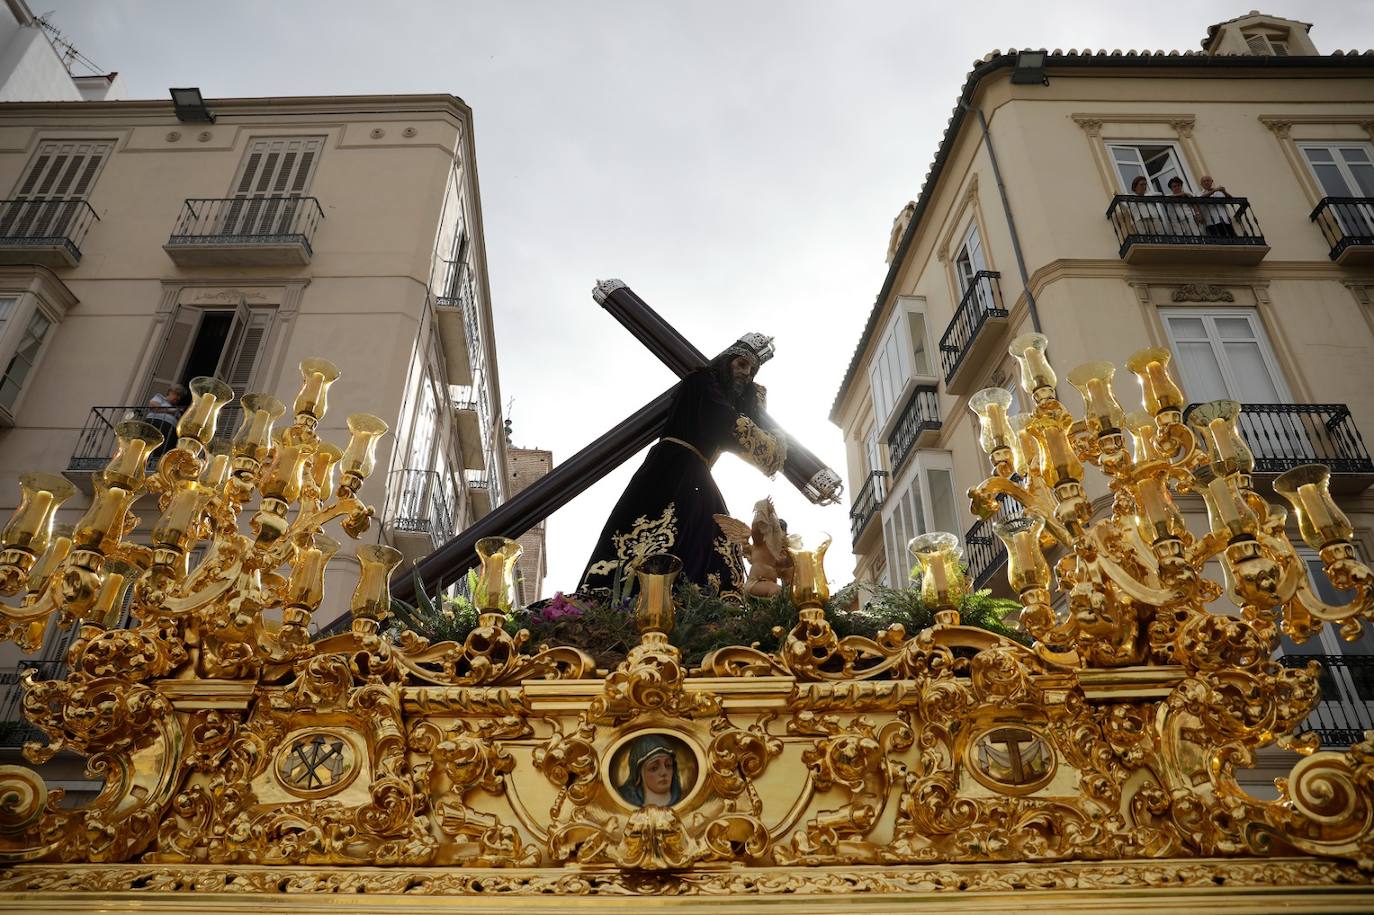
[{"x": 541, "y": 499}]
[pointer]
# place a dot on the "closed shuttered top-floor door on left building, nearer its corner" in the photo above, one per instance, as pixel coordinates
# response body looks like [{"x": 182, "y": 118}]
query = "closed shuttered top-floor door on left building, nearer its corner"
[{"x": 275, "y": 172}]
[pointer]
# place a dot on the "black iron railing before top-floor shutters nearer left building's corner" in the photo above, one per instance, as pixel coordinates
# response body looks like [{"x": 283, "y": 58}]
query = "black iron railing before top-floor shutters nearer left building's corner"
[{"x": 248, "y": 222}]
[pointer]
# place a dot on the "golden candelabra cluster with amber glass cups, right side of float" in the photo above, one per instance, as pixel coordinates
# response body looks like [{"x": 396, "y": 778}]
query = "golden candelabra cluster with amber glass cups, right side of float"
[{"x": 1131, "y": 580}]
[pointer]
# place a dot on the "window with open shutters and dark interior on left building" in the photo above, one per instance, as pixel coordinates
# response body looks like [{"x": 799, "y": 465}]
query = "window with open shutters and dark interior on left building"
[{"x": 226, "y": 344}]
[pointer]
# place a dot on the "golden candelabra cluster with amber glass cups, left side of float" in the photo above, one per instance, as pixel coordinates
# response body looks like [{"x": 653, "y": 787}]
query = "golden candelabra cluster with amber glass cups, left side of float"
[{"x": 251, "y": 600}]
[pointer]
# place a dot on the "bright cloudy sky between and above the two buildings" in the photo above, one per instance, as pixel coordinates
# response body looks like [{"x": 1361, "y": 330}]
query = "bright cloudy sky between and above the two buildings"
[{"x": 737, "y": 163}]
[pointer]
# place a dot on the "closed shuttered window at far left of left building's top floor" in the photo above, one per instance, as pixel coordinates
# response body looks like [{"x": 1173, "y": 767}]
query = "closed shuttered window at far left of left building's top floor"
[{"x": 61, "y": 171}]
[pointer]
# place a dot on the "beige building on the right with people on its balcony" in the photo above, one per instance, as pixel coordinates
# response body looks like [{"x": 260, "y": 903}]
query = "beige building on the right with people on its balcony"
[{"x": 1028, "y": 222}]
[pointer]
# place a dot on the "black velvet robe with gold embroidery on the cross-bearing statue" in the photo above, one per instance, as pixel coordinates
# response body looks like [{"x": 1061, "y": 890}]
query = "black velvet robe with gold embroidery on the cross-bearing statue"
[{"x": 671, "y": 502}]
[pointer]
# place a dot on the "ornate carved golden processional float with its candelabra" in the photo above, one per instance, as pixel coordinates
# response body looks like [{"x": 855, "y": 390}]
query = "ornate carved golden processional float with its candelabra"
[{"x": 248, "y": 767}]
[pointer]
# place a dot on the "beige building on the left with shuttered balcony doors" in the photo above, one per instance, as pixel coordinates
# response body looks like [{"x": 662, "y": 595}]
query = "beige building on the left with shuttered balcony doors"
[{"x": 145, "y": 245}]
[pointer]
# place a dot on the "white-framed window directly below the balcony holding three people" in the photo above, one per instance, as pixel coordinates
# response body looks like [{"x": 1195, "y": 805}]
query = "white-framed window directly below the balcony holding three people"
[{"x": 1225, "y": 355}]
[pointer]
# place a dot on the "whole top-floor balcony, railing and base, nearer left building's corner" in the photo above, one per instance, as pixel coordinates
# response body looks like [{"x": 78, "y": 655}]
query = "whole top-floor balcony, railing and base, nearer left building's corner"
[{"x": 245, "y": 231}]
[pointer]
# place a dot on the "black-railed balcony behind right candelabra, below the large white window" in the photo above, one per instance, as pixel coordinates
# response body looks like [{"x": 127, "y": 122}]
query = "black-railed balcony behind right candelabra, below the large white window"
[{"x": 1285, "y": 436}]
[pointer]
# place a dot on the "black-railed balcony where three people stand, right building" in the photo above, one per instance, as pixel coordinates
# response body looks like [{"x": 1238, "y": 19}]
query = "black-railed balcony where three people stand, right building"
[{"x": 1181, "y": 231}]
